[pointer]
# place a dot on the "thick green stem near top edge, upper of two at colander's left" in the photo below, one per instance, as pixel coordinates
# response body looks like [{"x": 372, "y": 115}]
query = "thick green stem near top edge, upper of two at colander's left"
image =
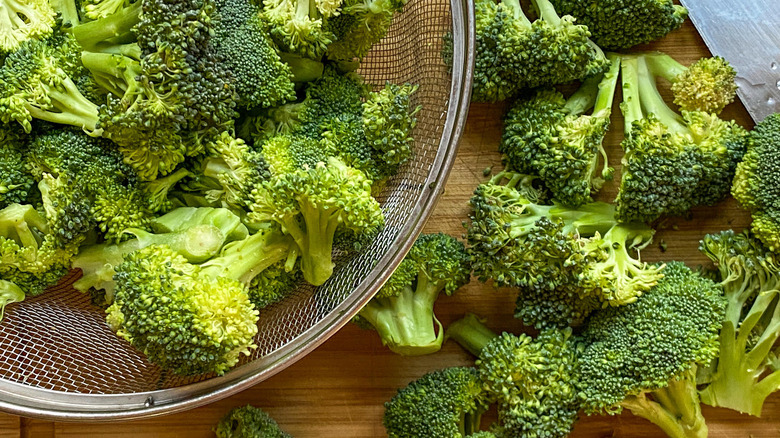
[{"x": 109, "y": 34}]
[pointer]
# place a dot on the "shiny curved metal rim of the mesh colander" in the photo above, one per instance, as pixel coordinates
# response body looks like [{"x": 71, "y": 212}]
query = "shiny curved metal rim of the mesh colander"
[{"x": 29, "y": 401}]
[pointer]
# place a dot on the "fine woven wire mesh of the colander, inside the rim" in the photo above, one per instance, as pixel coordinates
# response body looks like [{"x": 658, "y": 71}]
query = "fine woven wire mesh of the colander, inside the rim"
[{"x": 59, "y": 341}]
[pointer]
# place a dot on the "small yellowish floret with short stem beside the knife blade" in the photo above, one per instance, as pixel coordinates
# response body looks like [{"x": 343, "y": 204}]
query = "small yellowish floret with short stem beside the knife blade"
[{"x": 708, "y": 85}]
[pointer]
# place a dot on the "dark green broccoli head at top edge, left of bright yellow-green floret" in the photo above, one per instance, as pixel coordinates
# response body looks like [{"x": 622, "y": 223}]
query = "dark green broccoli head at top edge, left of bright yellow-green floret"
[{"x": 250, "y": 56}]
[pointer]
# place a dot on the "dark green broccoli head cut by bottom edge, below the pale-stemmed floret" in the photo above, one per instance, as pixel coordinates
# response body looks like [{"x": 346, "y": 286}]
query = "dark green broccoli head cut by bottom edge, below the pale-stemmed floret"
[{"x": 447, "y": 403}]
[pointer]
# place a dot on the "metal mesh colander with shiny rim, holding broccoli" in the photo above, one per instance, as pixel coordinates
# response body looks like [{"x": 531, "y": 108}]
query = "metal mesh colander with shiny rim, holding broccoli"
[{"x": 59, "y": 359}]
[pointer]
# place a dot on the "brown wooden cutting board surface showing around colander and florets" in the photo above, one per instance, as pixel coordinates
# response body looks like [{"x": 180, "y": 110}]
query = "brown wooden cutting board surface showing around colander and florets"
[{"x": 339, "y": 389}]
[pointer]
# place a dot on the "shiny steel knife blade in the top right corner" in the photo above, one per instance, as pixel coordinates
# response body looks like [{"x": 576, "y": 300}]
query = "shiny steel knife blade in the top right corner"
[{"x": 747, "y": 34}]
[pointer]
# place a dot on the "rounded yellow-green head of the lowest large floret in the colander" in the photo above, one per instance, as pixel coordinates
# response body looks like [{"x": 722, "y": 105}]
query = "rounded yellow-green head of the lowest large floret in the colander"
[{"x": 183, "y": 319}]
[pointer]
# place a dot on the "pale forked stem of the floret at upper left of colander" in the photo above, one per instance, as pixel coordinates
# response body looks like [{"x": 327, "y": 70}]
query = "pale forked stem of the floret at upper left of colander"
[{"x": 72, "y": 107}]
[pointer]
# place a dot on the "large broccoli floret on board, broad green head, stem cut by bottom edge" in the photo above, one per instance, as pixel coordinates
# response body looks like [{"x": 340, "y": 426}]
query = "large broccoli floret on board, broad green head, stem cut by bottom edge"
[{"x": 643, "y": 356}]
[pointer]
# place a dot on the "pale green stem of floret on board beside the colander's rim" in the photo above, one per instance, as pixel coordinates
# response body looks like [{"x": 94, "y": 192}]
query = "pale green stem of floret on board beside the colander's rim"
[{"x": 406, "y": 322}]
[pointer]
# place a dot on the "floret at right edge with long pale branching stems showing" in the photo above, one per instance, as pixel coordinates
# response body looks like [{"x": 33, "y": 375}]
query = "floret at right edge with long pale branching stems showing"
[{"x": 740, "y": 379}]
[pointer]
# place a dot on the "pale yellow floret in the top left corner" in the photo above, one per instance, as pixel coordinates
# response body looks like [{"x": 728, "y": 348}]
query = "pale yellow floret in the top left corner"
[{"x": 22, "y": 20}]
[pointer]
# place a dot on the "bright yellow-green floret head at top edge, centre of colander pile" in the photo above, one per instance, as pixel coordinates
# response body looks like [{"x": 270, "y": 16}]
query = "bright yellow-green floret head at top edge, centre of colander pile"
[{"x": 300, "y": 26}]
